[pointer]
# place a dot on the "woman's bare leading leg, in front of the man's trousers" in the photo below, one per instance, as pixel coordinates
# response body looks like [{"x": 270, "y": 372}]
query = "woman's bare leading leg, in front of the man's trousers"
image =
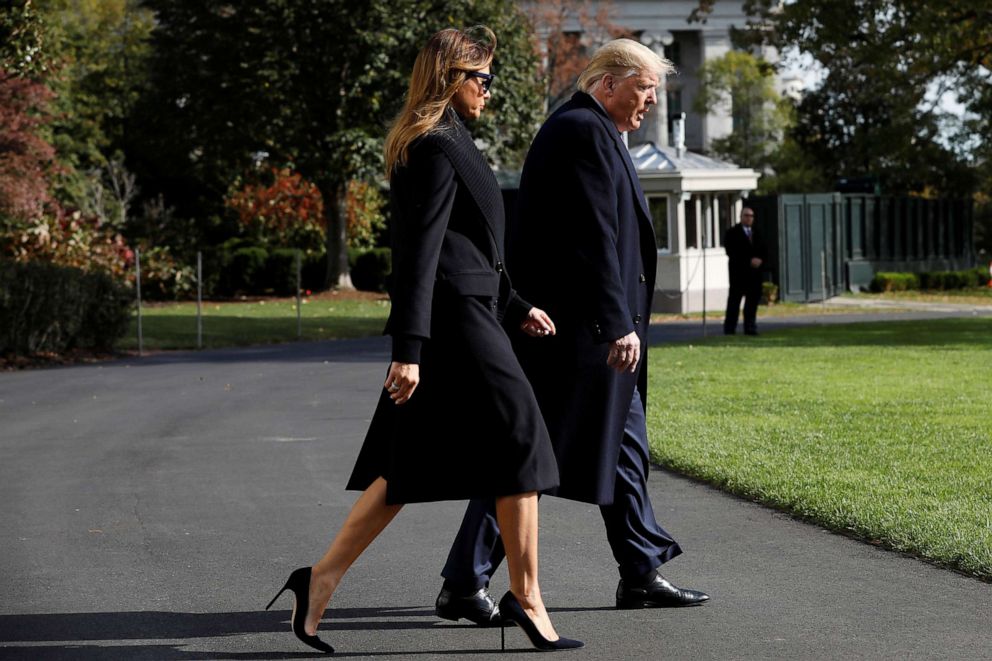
[{"x": 517, "y": 518}]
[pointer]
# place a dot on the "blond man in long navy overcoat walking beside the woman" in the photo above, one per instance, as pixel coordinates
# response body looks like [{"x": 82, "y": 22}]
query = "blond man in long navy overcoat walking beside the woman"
[{"x": 583, "y": 249}]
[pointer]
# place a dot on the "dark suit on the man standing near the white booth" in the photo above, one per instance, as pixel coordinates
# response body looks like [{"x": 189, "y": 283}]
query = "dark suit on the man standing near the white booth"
[{"x": 745, "y": 280}]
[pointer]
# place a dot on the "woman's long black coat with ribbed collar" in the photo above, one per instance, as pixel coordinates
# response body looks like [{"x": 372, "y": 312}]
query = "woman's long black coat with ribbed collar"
[{"x": 472, "y": 428}]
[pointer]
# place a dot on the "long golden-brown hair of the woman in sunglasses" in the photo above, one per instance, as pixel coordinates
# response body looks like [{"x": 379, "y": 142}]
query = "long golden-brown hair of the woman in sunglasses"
[{"x": 441, "y": 67}]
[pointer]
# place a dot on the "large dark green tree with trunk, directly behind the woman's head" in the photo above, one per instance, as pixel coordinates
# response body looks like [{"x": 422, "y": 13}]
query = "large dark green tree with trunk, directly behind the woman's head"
[{"x": 312, "y": 86}]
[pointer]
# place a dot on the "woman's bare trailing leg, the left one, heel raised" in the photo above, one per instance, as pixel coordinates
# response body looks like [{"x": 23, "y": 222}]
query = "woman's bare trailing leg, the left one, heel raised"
[{"x": 368, "y": 517}]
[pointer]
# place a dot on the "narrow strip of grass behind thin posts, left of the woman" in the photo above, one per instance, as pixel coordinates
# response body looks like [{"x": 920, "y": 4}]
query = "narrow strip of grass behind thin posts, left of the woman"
[{"x": 240, "y": 323}]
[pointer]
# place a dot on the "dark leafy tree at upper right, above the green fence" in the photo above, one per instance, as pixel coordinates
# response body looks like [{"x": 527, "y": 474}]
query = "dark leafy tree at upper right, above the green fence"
[{"x": 886, "y": 63}]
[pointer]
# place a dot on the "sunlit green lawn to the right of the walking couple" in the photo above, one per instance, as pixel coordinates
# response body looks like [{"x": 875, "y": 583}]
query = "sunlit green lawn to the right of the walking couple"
[{"x": 881, "y": 430}]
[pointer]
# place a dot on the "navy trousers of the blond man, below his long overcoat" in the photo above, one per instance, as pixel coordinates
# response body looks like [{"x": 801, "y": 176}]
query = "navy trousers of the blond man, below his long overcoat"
[{"x": 638, "y": 542}]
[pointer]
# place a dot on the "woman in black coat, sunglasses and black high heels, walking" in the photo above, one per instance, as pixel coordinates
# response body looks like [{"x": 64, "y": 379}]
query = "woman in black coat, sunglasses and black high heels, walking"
[{"x": 456, "y": 419}]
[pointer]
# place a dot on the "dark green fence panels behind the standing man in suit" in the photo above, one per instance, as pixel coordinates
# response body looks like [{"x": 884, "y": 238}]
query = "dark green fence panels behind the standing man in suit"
[{"x": 821, "y": 245}]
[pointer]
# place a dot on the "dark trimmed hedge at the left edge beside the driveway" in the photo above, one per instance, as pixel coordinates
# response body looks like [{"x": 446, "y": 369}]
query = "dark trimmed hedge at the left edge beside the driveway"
[{"x": 49, "y": 308}]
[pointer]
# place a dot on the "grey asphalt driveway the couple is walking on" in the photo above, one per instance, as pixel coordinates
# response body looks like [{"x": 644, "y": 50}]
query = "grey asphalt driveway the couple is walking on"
[{"x": 152, "y": 506}]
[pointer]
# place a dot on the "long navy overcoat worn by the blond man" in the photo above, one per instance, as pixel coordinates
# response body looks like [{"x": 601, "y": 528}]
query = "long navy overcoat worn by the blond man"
[{"x": 582, "y": 248}]
